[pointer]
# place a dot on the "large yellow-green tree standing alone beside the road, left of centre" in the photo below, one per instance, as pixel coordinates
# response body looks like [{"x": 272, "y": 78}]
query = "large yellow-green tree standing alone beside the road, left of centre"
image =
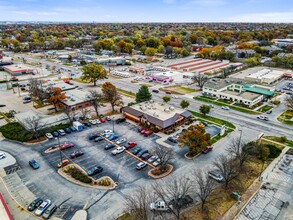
[{"x": 93, "y": 72}]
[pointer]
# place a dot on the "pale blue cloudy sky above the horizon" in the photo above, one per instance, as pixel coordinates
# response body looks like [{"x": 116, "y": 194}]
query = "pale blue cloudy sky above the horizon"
[{"x": 147, "y": 10}]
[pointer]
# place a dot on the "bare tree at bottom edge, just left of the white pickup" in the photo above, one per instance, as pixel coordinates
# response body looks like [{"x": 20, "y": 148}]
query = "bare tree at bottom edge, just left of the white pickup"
[{"x": 137, "y": 204}]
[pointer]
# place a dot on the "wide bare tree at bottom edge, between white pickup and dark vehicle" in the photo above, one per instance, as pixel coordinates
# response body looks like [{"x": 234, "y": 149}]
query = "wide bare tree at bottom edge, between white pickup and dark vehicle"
[{"x": 174, "y": 193}]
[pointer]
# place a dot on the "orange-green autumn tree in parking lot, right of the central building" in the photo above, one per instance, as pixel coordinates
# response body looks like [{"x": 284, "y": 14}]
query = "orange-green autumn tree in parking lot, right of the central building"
[{"x": 195, "y": 138}]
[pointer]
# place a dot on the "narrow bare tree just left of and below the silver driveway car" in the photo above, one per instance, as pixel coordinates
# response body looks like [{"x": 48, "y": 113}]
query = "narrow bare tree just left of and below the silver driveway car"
[{"x": 204, "y": 186}]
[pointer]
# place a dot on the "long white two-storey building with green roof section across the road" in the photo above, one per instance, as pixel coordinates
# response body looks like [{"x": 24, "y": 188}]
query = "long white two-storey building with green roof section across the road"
[{"x": 237, "y": 91}]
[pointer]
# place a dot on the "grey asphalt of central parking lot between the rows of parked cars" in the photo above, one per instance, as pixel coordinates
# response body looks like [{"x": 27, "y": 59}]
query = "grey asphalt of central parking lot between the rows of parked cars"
[{"x": 121, "y": 167}]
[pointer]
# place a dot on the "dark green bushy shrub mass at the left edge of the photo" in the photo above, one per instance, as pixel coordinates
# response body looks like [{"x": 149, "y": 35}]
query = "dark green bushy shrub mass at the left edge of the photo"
[{"x": 15, "y": 131}]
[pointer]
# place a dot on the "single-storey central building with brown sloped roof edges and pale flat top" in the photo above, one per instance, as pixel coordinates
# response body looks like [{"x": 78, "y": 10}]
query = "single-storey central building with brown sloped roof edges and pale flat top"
[{"x": 157, "y": 116}]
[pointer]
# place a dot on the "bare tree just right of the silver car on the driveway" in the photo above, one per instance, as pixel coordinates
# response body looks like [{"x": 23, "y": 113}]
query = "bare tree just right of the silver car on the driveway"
[{"x": 227, "y": 167}]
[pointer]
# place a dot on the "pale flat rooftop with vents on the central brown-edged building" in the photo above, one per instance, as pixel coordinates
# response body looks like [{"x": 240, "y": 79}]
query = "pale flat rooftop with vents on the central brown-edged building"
[{"x": 161, "y": 111}]
